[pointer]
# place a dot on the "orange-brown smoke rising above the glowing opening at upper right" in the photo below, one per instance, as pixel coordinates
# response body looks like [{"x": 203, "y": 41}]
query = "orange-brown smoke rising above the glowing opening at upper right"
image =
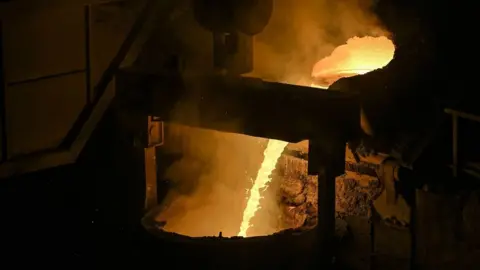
[{"x": 300, "y": 33}]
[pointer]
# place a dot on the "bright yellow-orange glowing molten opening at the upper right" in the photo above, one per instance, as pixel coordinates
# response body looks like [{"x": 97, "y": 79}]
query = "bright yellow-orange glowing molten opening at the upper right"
[{"x": 358, "y": 56}]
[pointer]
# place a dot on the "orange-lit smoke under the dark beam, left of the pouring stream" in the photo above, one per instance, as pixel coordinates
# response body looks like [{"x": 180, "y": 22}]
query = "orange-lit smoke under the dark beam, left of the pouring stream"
[{"x": 210, "y": 181}]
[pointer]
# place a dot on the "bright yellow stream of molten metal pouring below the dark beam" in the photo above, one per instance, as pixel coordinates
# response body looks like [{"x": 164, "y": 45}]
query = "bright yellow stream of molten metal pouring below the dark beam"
[{"x": 271, "y": 155}]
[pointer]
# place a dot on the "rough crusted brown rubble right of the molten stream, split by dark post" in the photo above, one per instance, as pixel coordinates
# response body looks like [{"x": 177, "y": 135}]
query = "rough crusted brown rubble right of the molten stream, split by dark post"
[{"x": 298, "y": 193}]
